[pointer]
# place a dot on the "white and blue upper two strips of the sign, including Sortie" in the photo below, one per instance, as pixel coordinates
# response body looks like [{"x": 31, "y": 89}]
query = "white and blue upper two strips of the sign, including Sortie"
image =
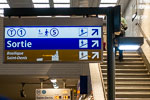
[{"x": 52, "y": 37}]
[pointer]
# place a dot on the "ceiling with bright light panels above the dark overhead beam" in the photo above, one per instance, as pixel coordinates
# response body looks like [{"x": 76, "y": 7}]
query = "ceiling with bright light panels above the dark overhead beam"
[{"x": 59, "y": 4}]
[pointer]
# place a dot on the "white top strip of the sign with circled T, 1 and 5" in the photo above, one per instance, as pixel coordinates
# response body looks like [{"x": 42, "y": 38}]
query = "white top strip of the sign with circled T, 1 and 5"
[{"x": 53, "y": 32}]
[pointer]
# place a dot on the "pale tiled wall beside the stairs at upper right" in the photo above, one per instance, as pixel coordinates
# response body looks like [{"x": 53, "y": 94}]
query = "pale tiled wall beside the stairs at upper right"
[{"x": 142, "y": 21}]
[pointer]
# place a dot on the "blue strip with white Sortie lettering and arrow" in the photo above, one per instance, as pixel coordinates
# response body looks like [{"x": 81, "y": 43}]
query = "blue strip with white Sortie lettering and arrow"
[{"x": 52, "y": 44}]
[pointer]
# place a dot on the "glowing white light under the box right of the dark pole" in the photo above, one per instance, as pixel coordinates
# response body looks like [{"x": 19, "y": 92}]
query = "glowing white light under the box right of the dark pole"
[{"x": 129, "y": 47}]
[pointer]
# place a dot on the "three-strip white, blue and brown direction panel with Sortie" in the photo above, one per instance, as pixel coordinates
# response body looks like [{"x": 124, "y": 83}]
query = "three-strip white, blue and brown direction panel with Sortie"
[{"x": 52, "y": 43}]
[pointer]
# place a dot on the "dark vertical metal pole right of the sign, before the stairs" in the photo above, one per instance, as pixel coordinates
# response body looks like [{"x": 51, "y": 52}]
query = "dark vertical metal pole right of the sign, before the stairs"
[{"x": 110, "y": 56}]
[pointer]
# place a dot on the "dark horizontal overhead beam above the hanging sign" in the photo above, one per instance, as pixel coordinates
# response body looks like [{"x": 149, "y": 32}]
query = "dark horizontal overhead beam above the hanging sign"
[{"x": 53, "y": 11}]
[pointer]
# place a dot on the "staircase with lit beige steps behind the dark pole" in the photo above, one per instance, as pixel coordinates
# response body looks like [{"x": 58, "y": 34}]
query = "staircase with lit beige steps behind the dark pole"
[{"x": 132, "y": 77}]
